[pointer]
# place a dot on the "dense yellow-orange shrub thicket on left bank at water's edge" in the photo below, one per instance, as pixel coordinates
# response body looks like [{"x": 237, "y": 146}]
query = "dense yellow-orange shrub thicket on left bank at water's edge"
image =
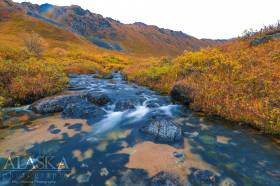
[{"x": 29, "y": 80}]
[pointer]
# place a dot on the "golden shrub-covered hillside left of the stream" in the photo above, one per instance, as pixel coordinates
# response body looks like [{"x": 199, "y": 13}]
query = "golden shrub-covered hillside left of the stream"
[{"x": 35, "y": 57}]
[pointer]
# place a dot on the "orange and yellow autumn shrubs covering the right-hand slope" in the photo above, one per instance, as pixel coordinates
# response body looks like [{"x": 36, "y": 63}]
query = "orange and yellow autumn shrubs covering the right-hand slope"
[{"x": 237, "y": 81}]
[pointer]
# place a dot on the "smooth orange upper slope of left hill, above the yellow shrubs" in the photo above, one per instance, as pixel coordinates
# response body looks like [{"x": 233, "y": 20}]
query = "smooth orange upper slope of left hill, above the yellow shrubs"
[{"x": 16, "y": 25}]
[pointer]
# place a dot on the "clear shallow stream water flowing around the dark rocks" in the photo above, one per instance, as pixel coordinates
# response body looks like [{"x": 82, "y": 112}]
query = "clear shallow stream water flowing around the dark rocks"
[{"x": 112, "y": 151}]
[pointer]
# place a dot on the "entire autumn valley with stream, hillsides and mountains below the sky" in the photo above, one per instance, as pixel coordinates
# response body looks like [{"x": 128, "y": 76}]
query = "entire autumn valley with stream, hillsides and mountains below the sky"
[{"x": 135, "y": 104}]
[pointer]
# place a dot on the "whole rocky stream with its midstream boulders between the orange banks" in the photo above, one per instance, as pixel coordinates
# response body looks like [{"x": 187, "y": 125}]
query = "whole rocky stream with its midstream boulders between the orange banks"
[{"x": 109, "y": 140}]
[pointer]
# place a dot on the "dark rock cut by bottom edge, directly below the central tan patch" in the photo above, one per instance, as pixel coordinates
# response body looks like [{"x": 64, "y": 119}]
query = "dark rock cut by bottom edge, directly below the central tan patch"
[{"x": 165, "y": 179}]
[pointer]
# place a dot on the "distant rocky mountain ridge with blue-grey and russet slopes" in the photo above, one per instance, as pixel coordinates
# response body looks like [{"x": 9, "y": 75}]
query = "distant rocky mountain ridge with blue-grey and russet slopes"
[{"x": 137, "y": 38}]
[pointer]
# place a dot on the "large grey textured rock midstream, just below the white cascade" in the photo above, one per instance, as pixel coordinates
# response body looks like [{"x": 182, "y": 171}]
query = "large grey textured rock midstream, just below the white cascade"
[{"x": 164, "y": 130}]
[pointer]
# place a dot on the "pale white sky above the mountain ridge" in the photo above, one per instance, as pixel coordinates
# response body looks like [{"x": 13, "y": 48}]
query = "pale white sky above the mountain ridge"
[{"x": 215, "y": 19}]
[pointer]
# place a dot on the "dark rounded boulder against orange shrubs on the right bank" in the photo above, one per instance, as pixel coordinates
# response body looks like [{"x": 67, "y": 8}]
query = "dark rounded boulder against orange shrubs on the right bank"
[{"x": 181, "y": 94}]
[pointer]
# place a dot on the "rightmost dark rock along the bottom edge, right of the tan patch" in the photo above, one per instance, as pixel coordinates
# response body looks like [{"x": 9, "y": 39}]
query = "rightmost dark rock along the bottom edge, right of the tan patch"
[{"x": 203, "y": 178}]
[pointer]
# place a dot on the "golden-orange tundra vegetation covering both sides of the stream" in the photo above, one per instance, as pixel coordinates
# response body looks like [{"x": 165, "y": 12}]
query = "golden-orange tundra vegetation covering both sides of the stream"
[{"x": 238, "y": 80}]
